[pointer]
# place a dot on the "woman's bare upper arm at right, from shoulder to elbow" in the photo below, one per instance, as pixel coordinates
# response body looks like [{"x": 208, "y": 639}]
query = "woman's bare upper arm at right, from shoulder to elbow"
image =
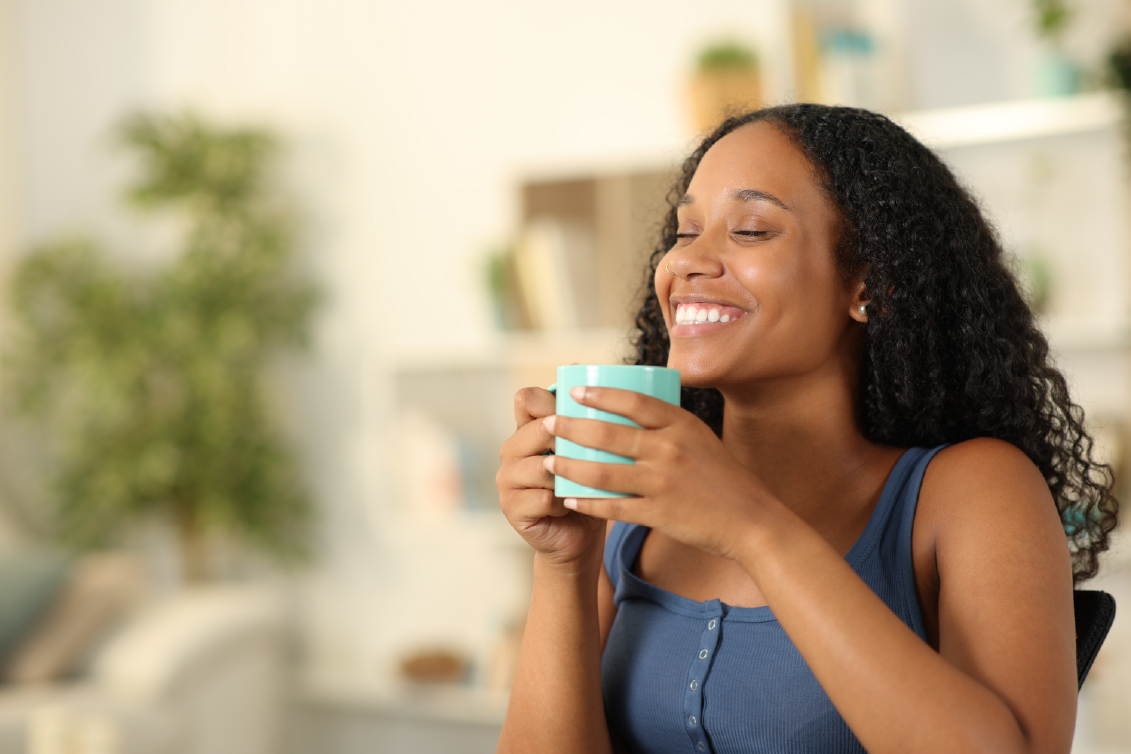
[{"x": 995, "y": 573}]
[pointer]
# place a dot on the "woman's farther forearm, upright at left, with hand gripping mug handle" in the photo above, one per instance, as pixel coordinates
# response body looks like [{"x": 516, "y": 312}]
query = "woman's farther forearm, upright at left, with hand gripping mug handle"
[{"x": 556, "y": 701}]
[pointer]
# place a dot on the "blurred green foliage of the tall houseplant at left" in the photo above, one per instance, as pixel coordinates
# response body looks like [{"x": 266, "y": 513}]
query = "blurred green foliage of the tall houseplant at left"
[{"x": 152, "y": 384}]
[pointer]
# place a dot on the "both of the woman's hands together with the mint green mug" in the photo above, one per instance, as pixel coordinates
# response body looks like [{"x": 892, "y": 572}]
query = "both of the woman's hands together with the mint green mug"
[{"x": 623, "y": 455}]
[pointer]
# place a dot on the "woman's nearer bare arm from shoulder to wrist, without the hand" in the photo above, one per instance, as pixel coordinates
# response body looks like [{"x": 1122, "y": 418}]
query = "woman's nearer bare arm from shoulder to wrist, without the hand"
[{"x": 1005, "y": 677}]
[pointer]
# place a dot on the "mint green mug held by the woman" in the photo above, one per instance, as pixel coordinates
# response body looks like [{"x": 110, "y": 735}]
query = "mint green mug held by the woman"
[{"x": 655, "y": 382}]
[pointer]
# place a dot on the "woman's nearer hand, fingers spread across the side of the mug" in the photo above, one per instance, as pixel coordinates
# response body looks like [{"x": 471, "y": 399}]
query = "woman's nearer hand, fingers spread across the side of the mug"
[{"x": 689, "y": 486}]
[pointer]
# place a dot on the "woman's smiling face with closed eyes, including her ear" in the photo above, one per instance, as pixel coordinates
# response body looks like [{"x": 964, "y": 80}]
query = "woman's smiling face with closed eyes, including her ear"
[{"x": 754, "y": 292}]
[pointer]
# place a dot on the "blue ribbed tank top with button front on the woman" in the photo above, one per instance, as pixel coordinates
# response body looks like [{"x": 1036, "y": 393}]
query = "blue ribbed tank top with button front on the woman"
[{"x": 681, "y": 677}]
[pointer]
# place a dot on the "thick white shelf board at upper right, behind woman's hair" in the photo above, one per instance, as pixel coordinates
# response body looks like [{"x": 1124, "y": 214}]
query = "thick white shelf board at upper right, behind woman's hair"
[{"x": 1012, "y": 122}]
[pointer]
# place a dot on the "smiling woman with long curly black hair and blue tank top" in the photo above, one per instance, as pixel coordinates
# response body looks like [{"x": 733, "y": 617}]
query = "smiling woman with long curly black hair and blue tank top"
[{"x": 861, "y": 531}]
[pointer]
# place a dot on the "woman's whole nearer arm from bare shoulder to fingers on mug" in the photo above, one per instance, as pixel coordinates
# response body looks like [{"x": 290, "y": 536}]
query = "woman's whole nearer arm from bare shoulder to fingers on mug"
[{"x": 1004, "y": 679}]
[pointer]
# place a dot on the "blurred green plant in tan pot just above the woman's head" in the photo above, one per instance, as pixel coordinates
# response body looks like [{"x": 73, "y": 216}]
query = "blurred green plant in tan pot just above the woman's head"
[{"x": 727, "y": 83}]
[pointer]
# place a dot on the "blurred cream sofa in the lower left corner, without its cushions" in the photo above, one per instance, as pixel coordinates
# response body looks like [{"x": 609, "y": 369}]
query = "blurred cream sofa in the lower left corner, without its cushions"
[{"x": 197, "y": 672}]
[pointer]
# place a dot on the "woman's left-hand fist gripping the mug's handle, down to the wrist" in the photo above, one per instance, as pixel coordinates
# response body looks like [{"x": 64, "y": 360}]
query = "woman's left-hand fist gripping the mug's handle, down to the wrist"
[{"x": 526, "y": 490}]
